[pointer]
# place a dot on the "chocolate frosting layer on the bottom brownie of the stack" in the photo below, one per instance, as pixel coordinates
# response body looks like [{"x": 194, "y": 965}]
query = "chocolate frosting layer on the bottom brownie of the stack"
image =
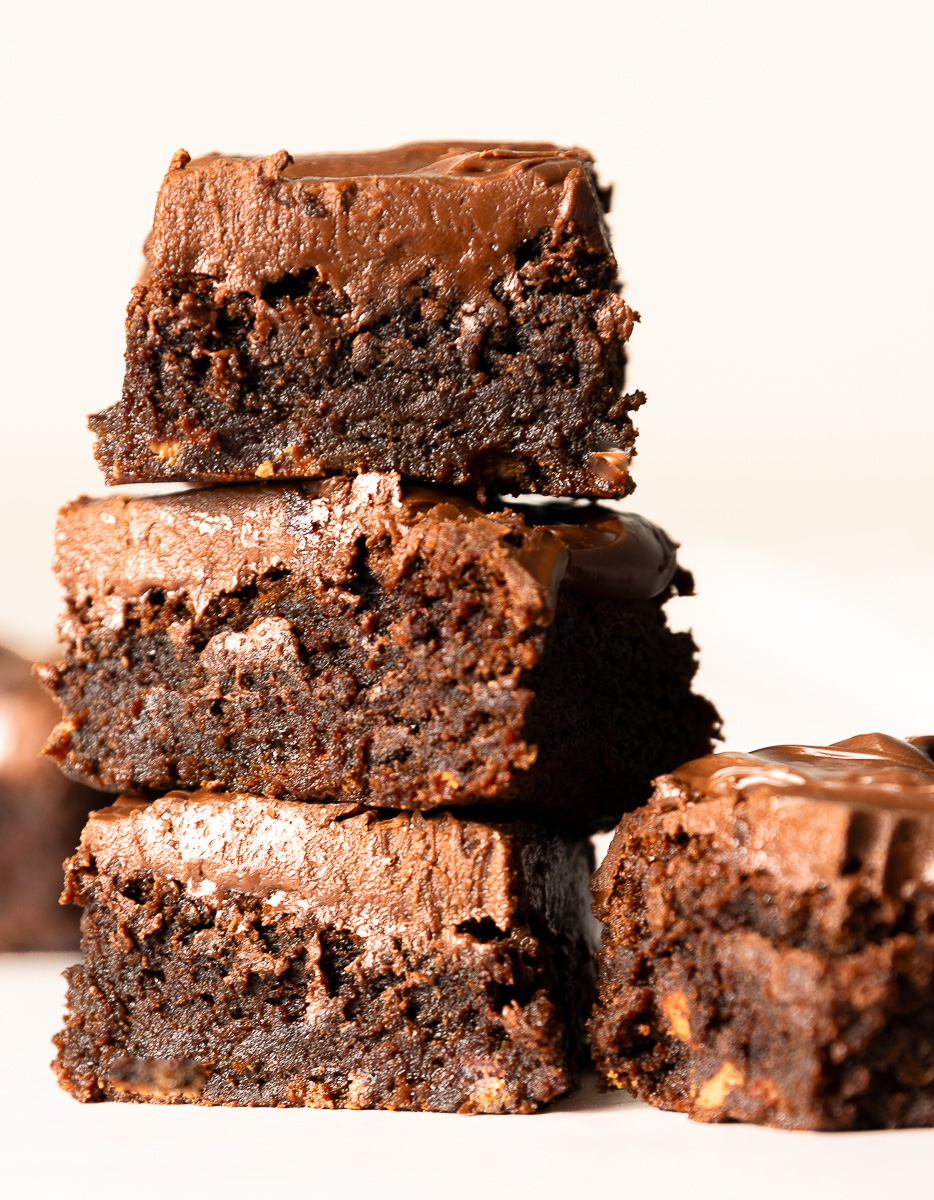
[{"x": 355, "y": 868}]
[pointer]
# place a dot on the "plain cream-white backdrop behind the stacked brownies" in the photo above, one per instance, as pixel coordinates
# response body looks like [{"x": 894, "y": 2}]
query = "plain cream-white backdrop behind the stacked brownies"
[{"x": 774, "y": 224}]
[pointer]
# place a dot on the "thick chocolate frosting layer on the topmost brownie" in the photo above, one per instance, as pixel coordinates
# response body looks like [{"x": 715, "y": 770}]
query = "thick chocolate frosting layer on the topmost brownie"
[{"x": 373, "y": 225}]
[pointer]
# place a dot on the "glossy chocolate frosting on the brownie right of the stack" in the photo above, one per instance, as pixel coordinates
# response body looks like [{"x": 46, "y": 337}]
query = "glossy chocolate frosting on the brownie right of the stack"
[{"x": 859, "y": 813}]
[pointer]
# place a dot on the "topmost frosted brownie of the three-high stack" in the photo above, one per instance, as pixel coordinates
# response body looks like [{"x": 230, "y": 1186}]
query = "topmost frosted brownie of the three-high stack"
[{"x": 450, "y": 313}]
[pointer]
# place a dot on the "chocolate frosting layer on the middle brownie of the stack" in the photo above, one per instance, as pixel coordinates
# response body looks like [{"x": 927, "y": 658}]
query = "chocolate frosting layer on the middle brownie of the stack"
[{"x": 208, "y": 542}]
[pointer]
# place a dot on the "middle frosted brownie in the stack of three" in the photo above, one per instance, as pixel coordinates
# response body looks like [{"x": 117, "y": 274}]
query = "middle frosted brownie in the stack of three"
[{"x": 357, "y": 640}]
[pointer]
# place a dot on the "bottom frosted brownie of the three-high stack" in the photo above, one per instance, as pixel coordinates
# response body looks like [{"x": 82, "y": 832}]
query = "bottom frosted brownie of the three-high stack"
[{"x": 250, "y": 952}]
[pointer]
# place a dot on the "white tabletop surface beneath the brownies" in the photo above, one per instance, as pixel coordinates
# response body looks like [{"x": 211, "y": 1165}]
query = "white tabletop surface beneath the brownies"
[{"x": 57, "y": 1148}]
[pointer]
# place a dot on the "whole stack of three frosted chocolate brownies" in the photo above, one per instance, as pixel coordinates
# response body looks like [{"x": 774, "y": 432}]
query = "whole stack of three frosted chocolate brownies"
[{"x": 361, "y": 713}]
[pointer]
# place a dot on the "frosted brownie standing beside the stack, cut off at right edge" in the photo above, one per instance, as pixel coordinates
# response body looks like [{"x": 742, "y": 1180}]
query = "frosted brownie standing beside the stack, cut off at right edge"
[{"x": 769, "y": 952}]
